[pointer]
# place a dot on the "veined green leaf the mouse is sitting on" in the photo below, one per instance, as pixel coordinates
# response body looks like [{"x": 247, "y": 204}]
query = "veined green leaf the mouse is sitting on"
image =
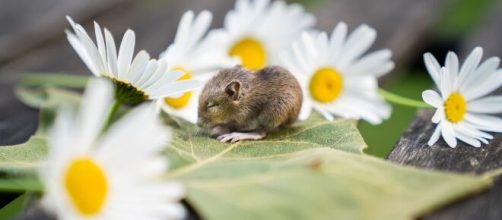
[{"x": 189, "y": 145}]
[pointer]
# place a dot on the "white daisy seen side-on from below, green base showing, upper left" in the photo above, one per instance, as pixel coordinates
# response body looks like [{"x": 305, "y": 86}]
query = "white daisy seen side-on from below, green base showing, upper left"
[{"x": 136, "y": 80}]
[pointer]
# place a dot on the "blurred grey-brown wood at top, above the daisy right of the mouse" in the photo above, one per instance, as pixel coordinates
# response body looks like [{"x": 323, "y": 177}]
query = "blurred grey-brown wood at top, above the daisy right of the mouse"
[{"x": 403, "y": 26}]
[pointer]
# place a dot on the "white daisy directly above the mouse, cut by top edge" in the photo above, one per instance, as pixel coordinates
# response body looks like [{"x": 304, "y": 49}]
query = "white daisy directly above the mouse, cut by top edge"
[{"x": 256, "y": 31}]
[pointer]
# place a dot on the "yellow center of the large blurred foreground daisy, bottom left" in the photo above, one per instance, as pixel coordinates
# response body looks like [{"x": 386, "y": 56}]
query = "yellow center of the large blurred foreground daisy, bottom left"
[{"x": 86, "y": 185}]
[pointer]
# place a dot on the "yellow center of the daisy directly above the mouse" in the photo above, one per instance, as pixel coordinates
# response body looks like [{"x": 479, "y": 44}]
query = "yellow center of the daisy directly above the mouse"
[{"x": 251, "y": 52}]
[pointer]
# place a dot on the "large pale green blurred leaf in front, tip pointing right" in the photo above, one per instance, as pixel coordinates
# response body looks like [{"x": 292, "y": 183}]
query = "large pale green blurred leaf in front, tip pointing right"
[{"x": 320, "y": 183}]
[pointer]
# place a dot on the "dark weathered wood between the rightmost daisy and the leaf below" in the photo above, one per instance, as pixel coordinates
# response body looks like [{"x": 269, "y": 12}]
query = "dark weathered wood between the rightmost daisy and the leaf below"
[{"x": 412, "y": 149}]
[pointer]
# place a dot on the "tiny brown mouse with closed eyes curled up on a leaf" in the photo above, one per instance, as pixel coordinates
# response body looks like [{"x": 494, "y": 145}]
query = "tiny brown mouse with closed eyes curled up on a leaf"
[{"x": 240, "y": 104}]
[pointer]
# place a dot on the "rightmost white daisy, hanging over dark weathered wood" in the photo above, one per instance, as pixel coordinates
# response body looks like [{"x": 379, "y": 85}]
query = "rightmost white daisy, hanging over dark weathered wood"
[{"x": 462, "y": 105}]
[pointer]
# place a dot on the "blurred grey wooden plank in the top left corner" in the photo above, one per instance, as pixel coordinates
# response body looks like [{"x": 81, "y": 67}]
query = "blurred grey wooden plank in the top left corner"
[{"x": 27, "y": 24}]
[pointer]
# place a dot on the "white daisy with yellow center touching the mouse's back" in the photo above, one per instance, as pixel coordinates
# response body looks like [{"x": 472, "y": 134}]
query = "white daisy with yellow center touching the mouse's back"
[{"x": 336, "y": 78}]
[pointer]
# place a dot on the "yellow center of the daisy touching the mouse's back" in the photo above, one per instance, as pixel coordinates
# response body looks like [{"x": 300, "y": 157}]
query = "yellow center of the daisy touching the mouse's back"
[{"x": 326, "y": 84}]
